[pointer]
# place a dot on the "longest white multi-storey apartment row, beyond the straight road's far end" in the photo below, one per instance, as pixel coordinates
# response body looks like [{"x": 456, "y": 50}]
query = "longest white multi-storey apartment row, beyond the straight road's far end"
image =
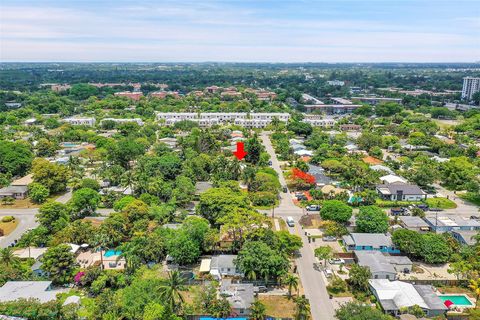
[{"x": 207, "y": 119}]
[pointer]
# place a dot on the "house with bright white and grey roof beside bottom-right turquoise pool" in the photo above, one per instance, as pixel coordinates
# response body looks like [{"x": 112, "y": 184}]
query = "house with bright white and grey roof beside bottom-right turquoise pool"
[{"x": 396, "y": 295}]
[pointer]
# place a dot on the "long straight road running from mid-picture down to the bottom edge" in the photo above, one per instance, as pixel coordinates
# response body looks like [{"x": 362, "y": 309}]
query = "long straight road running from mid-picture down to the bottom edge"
[{"x": 312, "y": 281}]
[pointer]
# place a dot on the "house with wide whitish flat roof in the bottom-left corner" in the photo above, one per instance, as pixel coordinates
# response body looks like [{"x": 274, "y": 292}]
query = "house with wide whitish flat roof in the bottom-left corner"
[{"x": 41, "y": 290}]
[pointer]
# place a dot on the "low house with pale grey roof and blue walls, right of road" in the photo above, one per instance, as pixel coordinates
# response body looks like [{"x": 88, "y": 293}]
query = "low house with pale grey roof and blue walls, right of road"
[{"x": 369, "y": 241}]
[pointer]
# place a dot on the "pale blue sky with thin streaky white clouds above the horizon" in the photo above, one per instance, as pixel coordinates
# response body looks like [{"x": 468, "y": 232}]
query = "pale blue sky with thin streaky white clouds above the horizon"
[{"x": 237, "y": 30}]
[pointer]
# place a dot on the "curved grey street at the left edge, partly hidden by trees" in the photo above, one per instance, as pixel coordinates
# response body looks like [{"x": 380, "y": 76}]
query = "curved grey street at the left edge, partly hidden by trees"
[{"x": 26, "y": 220}]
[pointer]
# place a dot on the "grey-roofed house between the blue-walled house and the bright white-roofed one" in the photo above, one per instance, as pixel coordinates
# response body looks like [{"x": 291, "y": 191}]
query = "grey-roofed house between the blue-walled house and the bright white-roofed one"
[{"x": 383, "y": 266}]
